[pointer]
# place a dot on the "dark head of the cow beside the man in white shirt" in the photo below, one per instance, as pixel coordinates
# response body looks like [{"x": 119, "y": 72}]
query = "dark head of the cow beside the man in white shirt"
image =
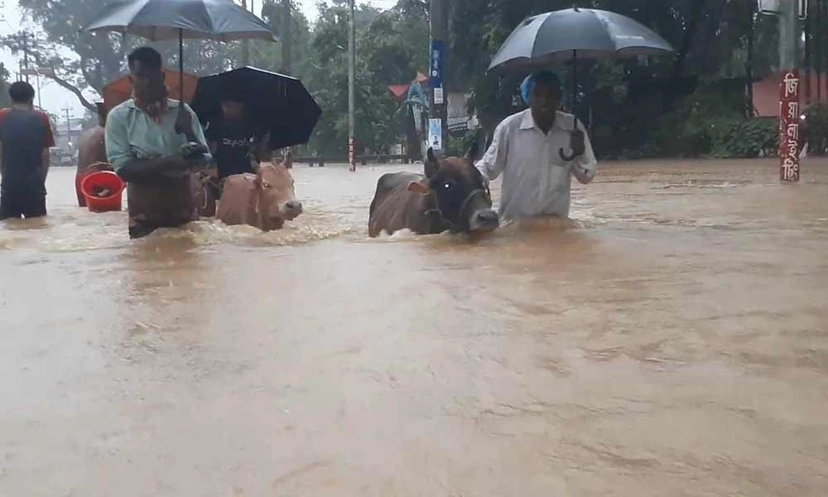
[{"x": 463, "y": 198}]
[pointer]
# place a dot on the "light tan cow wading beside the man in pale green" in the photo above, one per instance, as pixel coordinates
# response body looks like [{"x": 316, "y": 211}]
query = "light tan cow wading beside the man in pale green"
[{"x": 264, "y": 200}]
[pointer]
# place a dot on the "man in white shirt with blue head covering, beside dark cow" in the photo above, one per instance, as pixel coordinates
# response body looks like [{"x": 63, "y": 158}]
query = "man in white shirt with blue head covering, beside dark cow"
[{"x": 537, "y": 151}]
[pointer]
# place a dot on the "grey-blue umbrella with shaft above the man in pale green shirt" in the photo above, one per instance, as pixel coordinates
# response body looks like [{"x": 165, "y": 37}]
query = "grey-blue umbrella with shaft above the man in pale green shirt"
[{"x": 157, "y": 20}]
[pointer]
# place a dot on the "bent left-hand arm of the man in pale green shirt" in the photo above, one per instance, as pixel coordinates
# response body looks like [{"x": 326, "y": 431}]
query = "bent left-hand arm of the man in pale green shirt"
[{"x": 129, "y": 168}]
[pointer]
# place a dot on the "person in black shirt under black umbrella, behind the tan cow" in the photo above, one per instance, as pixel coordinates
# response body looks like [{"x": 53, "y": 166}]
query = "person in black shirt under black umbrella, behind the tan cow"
[{"x": 237, "y": 147}]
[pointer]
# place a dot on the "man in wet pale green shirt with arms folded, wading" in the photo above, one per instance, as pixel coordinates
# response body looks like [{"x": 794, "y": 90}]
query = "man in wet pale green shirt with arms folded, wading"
[{"x": 155, "y": 144}]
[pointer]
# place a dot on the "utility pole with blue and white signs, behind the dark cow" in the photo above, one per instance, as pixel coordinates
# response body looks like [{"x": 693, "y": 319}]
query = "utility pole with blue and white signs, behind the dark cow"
[{"x": 439, "y": 13}]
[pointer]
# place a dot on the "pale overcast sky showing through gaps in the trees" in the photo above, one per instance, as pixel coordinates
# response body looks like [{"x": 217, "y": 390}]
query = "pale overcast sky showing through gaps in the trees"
[{"x": 54, "y": 98}]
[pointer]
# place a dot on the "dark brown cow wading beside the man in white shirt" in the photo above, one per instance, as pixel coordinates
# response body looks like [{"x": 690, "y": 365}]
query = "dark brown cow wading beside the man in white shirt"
[{"x": 452, "y": 195}]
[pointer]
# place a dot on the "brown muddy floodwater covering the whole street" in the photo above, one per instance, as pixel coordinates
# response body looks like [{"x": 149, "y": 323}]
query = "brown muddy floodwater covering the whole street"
[{"x": 672, "y": 341}]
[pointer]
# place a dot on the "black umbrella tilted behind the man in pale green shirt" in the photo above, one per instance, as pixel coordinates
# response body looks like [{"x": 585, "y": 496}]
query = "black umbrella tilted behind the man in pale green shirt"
[{"x": 276, "y": 103}]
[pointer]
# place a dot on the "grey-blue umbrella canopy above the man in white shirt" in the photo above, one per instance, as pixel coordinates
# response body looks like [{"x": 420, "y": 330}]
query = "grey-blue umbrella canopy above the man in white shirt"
[{"x": 564, "y": 35}]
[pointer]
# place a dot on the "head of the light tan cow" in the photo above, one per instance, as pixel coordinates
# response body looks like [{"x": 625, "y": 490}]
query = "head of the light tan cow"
[{"x": 277, "y": 197}]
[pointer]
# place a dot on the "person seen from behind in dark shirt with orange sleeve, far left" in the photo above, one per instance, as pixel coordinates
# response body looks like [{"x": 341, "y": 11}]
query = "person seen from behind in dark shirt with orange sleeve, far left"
[{"x": 25, "y": 138}]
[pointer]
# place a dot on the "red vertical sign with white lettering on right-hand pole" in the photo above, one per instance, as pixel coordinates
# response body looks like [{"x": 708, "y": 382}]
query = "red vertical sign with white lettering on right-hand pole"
[{"x": 789, "y": 126}]
